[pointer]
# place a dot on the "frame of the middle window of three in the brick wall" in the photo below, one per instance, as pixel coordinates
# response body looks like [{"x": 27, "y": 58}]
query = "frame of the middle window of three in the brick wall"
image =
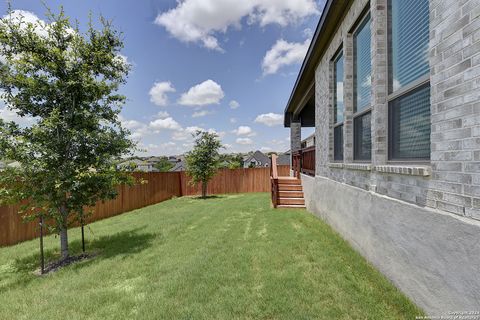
[{"x": 356, "y": 114}]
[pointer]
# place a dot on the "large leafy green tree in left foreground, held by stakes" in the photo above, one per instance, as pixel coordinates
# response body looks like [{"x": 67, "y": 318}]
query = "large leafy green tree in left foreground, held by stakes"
[{"x": 68, "y": 82}]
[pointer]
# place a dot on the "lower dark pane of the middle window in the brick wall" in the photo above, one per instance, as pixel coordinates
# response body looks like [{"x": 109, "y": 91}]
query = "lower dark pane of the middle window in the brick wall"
[{"x": 363, "y": 137}]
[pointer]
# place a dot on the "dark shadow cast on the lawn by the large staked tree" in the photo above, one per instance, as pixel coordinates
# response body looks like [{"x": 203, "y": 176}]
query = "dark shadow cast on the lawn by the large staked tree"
[{"x": 122, "y": 244}]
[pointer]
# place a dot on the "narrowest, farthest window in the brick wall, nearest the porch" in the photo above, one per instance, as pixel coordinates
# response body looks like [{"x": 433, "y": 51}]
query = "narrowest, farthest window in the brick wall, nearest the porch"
[{"x": 338, "y": 108}]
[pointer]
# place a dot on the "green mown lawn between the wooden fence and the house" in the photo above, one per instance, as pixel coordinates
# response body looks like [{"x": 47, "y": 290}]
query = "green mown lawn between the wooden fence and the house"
[{"x": 229, "y": 257}]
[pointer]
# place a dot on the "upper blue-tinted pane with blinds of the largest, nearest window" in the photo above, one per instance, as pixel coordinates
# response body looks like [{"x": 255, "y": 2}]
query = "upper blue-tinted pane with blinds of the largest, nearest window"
[{"x": 409, "y": 27}]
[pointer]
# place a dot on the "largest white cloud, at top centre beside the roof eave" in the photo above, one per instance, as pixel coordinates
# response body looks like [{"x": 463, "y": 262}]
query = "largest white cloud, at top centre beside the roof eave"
[{"x": 199, "y": 21}]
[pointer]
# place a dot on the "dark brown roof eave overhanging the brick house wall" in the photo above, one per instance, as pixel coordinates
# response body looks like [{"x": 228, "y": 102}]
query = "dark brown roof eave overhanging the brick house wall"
[{"x": 332, "y": 14}]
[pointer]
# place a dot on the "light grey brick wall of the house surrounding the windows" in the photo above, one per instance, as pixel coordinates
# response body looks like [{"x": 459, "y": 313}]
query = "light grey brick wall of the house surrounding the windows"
[{"x": 451, "y": 181}]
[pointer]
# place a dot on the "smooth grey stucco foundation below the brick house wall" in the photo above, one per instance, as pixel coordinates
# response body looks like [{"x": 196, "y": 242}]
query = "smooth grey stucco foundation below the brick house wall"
[{"x": 432, "y": 256}]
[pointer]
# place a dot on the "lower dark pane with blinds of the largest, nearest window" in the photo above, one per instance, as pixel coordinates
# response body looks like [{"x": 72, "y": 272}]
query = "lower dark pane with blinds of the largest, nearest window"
[{"x": 410, "y": 125}]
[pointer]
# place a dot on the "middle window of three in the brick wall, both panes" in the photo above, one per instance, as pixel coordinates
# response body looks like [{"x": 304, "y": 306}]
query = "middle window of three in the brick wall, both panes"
[{"x": 362, "y": 84}]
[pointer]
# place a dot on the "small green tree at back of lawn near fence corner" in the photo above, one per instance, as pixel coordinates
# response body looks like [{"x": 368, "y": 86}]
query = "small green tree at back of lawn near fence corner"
[{"x": 203, "y": 161}]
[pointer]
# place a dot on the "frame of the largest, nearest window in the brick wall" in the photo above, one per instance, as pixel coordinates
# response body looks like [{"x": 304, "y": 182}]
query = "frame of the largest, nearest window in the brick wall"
[{"x": 403, "y": 91}]
